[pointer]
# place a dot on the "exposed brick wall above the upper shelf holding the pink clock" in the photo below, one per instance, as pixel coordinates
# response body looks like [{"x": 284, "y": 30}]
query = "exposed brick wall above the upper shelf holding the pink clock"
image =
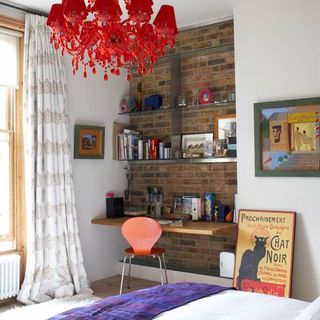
[{"x": 199, "y": 70}]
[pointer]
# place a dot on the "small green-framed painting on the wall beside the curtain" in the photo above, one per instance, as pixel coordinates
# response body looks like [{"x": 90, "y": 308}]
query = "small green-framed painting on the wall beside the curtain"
[{"x": 88, "y": 142}]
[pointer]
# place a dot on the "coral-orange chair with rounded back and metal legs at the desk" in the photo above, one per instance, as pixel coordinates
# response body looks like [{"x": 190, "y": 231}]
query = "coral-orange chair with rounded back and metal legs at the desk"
[{"x": 142, "y": 233}]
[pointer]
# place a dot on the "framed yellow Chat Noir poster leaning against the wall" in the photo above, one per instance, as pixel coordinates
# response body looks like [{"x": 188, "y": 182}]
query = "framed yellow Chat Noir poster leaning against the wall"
[{"x": 264, "y": 253}]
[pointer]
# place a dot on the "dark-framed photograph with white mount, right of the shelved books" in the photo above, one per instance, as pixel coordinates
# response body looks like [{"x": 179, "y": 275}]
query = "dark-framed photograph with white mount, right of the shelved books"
[{"x": 197, "y": 145}]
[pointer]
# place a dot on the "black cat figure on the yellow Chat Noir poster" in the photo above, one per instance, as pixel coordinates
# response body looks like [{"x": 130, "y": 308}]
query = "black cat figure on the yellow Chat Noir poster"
[{"x": 250, "y": 261}]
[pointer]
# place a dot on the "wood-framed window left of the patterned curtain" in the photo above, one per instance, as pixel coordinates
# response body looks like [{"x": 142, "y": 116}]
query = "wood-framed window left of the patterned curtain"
[{"x": 10, "y": 138}]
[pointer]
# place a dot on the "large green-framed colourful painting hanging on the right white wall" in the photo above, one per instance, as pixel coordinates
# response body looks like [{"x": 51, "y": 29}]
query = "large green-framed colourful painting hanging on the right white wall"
[{"x": 287, "y": 136}]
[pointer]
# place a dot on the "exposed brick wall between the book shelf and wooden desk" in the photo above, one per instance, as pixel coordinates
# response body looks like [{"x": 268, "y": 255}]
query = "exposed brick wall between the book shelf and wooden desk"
[{"x": 178, "y": 179}]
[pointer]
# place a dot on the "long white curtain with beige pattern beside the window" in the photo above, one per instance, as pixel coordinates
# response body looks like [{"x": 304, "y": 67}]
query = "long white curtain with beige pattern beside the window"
[{"x": 54, "y": 257}]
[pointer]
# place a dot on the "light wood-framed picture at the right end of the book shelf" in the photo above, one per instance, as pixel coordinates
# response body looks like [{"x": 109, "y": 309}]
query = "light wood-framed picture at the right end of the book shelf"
[{"x": 225, "y": 126}]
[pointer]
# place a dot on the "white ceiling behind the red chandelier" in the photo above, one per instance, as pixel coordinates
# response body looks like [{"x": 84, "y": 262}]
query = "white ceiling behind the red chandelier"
[{"x": 188, "y": 12}]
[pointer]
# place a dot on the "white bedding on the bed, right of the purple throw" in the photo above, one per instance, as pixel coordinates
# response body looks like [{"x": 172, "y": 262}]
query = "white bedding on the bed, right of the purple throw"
[{"x": 237, "y": 305}]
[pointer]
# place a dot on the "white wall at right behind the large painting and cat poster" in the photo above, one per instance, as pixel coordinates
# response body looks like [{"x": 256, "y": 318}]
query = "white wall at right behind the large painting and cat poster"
[{"x": 278, "y": 57}]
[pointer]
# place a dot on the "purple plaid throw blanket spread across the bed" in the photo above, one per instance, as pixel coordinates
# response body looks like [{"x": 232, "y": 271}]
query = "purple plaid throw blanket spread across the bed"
[{"x": 142, "y": 304}]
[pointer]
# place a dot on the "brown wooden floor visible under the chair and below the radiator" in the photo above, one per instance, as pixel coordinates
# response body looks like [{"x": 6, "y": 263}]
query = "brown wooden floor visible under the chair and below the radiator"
[{"x": 102, "y": 288}]
